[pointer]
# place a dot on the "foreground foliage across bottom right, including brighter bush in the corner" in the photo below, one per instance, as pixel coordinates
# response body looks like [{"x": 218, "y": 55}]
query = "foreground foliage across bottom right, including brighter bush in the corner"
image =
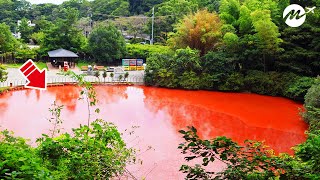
[{"x": 252, "y": 160}]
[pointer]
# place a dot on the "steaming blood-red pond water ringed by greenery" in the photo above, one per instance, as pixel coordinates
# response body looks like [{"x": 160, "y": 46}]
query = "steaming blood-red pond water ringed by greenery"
[{"x": 160, "y": 113}]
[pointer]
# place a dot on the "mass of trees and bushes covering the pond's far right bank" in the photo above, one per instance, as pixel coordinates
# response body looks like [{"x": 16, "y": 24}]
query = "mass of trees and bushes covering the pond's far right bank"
[{"x": 248, "y": 47}]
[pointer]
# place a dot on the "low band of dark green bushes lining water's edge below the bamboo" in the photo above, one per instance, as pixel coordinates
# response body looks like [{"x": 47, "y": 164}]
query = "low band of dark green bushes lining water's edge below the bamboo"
[{"x": 185, "y": 69}]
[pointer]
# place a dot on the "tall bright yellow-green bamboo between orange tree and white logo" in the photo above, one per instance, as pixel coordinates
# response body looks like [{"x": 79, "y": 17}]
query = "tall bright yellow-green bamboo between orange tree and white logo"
[{"x": 254, "y": 20}]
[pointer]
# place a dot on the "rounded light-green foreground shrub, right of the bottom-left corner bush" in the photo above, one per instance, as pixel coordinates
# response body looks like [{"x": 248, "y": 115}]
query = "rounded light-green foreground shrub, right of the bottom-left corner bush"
[{"x": 97, "y": 152}]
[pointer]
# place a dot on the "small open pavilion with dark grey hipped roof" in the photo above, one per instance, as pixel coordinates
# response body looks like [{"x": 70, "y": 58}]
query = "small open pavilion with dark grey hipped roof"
[{"x": 59, "y": 56}]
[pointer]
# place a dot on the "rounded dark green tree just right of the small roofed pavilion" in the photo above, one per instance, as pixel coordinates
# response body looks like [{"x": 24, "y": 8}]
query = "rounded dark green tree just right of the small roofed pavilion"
[{"x": 106, "y": 43}]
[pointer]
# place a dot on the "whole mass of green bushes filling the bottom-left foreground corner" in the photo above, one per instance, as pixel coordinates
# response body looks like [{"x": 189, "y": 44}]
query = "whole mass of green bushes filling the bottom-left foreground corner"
[{"x": 95, "y": 152}]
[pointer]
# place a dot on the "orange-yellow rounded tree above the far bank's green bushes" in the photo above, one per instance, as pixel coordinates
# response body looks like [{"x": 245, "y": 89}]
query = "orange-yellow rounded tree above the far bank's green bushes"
[{"x": 201, "y": 31}]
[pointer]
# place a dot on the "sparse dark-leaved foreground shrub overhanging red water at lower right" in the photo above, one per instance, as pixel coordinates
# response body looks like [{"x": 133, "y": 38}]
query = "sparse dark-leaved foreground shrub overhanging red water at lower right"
[{"x": 252, "y": 160}]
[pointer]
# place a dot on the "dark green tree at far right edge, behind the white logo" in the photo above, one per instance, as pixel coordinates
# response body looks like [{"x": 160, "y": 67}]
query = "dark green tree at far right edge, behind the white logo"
[{"x": 302, "y": 44}]
